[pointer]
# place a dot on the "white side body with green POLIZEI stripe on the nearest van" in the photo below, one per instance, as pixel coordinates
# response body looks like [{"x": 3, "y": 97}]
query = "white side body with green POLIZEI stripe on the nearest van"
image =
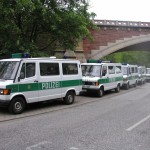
[{"x": 49, "y": 82}]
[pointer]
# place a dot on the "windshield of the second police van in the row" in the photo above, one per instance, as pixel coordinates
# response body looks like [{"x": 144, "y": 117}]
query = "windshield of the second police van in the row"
[{"x": 91, "y": 70}]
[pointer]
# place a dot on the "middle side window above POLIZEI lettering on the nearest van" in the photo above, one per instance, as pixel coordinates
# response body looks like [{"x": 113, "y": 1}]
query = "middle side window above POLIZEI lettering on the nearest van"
[{"x": 49, "y": 69}]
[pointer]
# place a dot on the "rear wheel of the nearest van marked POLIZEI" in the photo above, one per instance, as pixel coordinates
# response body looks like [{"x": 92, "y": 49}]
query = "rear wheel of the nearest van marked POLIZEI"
[{"x": 69, "y": 98}]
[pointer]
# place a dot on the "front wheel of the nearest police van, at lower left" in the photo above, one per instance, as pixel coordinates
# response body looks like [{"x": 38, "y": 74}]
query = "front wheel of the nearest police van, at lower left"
[{"x": 17, "y": 105}]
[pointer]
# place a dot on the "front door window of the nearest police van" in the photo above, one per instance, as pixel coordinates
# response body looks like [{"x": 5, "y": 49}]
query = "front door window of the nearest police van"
[{"x": 27, "y": 70}]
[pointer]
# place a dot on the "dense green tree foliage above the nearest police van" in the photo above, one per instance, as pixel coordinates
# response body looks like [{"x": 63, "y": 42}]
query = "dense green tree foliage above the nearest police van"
[{"x": 40, "y": 26}]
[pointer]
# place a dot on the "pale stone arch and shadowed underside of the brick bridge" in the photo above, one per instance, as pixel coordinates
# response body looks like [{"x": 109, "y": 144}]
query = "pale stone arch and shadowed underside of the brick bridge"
[{"x": 135, "y": 43}]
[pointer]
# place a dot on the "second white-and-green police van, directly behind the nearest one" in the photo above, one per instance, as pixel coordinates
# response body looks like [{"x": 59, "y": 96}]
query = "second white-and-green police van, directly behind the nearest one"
[{"x": 100, "y": 77}]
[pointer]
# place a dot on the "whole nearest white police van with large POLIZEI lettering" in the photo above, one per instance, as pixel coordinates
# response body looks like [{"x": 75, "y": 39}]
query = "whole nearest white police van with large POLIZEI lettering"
[{"x": 29, "y": 80}]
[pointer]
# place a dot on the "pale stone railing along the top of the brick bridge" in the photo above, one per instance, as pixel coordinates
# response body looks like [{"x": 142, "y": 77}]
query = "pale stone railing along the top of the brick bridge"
[{"x": 122, "y": 23}]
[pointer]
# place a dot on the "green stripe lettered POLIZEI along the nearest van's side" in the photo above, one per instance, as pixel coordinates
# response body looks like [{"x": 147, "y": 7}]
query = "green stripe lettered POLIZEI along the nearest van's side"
[{"x": 43, "y": 85}]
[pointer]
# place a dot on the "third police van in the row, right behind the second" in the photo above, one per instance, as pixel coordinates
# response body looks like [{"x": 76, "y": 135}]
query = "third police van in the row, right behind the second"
[{"x": 130, "y": 75}]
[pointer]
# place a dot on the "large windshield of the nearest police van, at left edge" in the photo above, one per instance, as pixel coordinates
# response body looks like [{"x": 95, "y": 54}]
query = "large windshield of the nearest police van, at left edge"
[{"x": 8, "y": 69}]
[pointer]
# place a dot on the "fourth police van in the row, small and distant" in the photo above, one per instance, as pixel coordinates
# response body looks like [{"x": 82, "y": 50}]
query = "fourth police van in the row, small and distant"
[{"x": 141, "y": 75}]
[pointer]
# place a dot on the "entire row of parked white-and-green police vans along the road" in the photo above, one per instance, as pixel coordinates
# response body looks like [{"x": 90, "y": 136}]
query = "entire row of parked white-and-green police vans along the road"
[{"x": 26, "y": 80}]
